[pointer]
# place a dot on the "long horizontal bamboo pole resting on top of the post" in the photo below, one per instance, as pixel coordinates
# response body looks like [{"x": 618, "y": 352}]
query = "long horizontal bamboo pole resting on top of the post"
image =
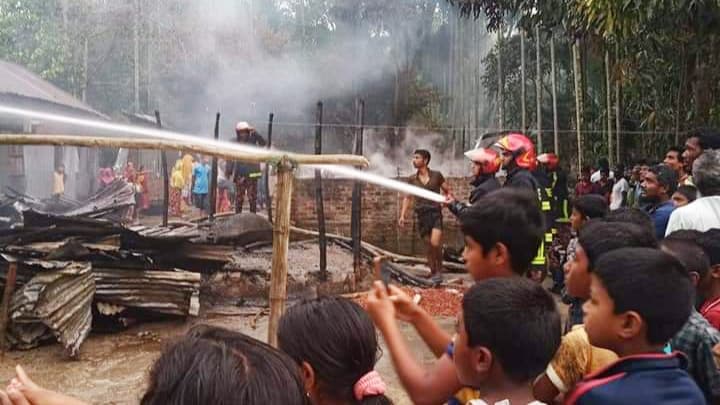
[{"x": 221, "y": 149}]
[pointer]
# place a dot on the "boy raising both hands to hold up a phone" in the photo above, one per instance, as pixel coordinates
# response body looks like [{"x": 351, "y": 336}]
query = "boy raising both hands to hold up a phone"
[{"x": 502, "y": 236}]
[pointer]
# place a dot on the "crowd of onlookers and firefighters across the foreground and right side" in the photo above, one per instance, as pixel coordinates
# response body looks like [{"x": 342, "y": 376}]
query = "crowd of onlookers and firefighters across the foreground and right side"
[{"x": 643, "y": 276}]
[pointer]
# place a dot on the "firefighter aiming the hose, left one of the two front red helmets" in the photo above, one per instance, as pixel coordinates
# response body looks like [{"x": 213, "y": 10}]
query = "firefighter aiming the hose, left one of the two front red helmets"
[{"x": 485, "y": 164}]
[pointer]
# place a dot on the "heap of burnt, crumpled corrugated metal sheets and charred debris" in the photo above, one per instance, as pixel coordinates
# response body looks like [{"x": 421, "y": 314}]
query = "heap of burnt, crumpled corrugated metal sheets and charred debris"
[{"x": 78, "y": 268}]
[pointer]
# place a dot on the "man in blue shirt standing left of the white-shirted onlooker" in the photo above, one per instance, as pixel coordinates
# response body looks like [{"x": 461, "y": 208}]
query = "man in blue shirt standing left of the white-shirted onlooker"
[{"x": 658, "y": 186}]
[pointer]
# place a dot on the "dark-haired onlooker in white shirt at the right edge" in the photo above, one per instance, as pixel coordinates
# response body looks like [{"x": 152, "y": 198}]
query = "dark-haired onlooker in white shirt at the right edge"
[{"x": 703, "y": 213}]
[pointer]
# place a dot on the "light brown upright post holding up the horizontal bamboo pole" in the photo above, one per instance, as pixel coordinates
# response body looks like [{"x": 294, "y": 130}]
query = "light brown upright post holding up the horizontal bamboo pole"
[{"x": 281, "y": 241}]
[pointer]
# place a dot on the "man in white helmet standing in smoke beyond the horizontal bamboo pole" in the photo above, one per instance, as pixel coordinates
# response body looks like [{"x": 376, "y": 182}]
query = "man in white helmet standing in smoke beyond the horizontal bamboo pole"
[{"x": 245, "y": 175}]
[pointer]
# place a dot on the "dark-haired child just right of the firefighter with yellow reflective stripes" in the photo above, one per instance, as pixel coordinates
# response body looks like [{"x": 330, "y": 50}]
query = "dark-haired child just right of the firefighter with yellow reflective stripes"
[{"x": 584, "y": 208}]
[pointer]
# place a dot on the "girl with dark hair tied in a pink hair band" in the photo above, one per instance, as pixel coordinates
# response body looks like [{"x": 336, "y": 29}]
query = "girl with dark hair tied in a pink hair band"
[{"x": 333, "y": 341}]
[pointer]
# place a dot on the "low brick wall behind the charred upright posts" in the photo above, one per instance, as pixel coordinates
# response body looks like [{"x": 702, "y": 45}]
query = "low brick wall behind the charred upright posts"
[{"x": 380, "y": 212}]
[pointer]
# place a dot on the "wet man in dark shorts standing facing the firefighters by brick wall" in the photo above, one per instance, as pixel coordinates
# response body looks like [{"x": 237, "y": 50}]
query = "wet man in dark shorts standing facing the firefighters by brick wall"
[{"x": 429, "y": 213}]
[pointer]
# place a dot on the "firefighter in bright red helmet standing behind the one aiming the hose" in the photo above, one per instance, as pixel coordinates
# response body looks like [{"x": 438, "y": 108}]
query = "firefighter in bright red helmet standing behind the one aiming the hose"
[{"x": 519, "y": 161}]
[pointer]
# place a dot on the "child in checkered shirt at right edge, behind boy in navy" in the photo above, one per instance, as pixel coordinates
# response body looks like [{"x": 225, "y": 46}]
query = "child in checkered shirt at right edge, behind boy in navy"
[{"x": 697, "y": 337}]
